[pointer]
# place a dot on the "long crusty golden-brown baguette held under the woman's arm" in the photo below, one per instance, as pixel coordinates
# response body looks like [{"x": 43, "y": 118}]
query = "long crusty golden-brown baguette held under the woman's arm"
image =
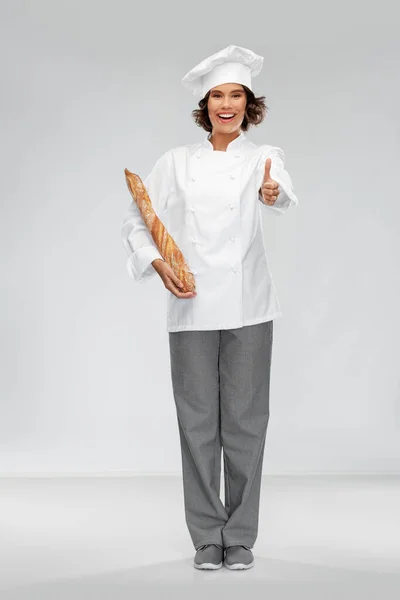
[{"x": 164, "y": 241}]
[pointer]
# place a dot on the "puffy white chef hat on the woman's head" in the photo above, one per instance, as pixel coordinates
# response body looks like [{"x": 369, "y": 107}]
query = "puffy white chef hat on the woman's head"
[{"x": 233, "y": 64}]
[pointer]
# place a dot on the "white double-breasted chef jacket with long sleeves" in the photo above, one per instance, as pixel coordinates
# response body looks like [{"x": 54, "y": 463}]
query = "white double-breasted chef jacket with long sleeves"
[{"x": 209, "y": 202}]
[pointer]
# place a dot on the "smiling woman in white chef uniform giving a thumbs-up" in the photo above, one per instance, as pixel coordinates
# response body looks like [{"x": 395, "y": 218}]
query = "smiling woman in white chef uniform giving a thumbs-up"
[{"x": 209, "y": 196}]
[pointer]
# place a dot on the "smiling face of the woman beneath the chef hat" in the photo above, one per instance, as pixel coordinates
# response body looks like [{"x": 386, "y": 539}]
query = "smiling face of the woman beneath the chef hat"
[{"x": 226, "y": 99}]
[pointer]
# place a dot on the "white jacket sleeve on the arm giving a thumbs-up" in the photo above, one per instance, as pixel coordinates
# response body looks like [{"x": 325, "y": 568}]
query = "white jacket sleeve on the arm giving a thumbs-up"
[{"x": 286, "y": 197}]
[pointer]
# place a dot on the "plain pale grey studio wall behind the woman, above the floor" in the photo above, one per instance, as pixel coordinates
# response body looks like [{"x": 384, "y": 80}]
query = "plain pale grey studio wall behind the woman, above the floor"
[{"x": 91, "y": 87}]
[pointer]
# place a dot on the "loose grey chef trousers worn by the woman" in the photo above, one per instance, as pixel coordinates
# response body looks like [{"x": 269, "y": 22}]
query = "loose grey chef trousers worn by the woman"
[{"x": 221, "y": 381}]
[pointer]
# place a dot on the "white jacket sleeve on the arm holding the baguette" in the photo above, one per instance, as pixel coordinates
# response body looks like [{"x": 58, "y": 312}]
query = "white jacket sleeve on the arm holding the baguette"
[{"x": 136, "y": 238}]
